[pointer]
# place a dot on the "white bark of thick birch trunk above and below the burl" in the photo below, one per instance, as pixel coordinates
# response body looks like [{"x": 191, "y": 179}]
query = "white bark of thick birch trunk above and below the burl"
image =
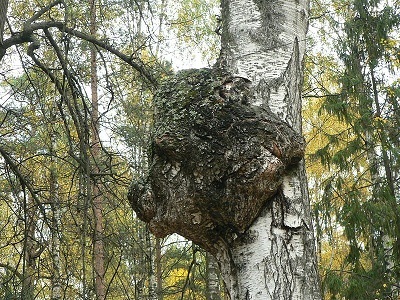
[{"x": 264, "y": 41}]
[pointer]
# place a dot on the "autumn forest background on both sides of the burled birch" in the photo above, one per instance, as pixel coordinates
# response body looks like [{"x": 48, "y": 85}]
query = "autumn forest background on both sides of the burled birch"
[{"x": 74, "y": 122}]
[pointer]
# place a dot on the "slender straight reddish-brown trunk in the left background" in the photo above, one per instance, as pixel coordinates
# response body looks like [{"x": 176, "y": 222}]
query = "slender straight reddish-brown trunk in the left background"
[{"x": 98, "y": 243}]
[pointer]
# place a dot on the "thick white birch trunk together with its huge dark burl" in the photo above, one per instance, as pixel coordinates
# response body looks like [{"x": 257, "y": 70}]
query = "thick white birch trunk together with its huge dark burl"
[{"x": 226, "y": 168}]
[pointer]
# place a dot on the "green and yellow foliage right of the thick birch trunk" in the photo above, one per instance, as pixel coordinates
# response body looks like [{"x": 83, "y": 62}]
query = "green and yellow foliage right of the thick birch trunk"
[{"x": 356, "y": 193}]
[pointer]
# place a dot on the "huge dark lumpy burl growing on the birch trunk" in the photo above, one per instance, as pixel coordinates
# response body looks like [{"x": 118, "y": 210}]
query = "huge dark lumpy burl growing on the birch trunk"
[{"x": 214, "y": 159}]
